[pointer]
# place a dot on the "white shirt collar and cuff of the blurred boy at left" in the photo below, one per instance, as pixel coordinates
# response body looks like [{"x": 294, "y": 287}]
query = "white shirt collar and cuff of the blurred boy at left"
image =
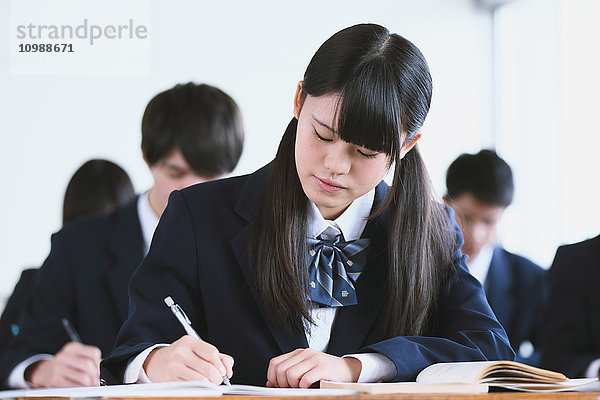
[{"x": 148, "y": 222}]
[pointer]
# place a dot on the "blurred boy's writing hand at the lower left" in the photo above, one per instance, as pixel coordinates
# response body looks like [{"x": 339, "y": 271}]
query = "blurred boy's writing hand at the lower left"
[{"x": 75, "y": 364}]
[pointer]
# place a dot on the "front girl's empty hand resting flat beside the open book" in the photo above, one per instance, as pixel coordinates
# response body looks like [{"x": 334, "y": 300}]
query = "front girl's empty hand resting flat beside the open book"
[{"x": 303, "y": 367}]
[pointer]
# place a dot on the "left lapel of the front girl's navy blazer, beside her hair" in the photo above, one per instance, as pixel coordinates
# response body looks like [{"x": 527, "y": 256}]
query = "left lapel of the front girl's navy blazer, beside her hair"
[{"x": 247, "y": 207}]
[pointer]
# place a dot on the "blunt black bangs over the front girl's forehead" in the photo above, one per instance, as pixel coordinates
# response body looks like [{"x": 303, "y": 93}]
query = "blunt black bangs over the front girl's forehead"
[{"x": 369, "y": 111}]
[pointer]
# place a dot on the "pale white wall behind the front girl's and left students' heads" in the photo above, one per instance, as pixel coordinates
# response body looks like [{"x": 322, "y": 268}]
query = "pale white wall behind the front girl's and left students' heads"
[{"x": 256, "y": 51}]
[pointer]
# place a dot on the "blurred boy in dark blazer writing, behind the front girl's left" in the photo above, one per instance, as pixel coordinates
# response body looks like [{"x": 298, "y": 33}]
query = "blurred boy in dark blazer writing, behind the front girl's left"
[{"x": 190, "y": 134}]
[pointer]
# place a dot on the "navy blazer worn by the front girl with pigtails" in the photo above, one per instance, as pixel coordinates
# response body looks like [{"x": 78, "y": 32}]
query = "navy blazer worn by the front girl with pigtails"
[{"x": 199, "y": 257}]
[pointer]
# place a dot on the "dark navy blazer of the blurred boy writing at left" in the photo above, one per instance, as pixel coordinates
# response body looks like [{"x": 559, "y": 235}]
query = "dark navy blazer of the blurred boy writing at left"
[{"x": 84, "y": 279}]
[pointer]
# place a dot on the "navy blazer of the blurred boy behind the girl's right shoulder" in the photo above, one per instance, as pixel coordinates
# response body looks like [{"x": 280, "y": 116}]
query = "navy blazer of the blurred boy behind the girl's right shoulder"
[{"x": 515, "y": 289}]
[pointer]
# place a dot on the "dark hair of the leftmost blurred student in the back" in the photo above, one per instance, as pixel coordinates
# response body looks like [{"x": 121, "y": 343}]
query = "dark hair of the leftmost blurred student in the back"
[{"x": 98, "y": 186}]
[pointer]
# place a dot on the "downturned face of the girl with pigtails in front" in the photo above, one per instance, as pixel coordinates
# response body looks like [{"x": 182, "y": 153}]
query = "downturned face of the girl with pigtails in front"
[{"x": 333, "y": 173}]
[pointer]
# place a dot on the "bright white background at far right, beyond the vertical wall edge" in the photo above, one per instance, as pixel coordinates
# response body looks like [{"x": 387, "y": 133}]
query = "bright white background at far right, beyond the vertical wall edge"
[{"x": 547, "y": 122}]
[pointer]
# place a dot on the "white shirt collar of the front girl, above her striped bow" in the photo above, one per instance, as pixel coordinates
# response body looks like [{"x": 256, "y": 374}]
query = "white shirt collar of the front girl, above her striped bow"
[{"x": 351, "y": 223}]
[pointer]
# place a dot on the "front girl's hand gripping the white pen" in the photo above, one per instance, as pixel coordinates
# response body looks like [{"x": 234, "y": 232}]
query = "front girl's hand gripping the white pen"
[{"x": 188, "y": 359}]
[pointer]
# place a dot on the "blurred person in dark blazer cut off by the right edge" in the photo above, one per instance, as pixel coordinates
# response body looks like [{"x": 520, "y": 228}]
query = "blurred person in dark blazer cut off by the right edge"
[{"x": 571, "y": 340}]
